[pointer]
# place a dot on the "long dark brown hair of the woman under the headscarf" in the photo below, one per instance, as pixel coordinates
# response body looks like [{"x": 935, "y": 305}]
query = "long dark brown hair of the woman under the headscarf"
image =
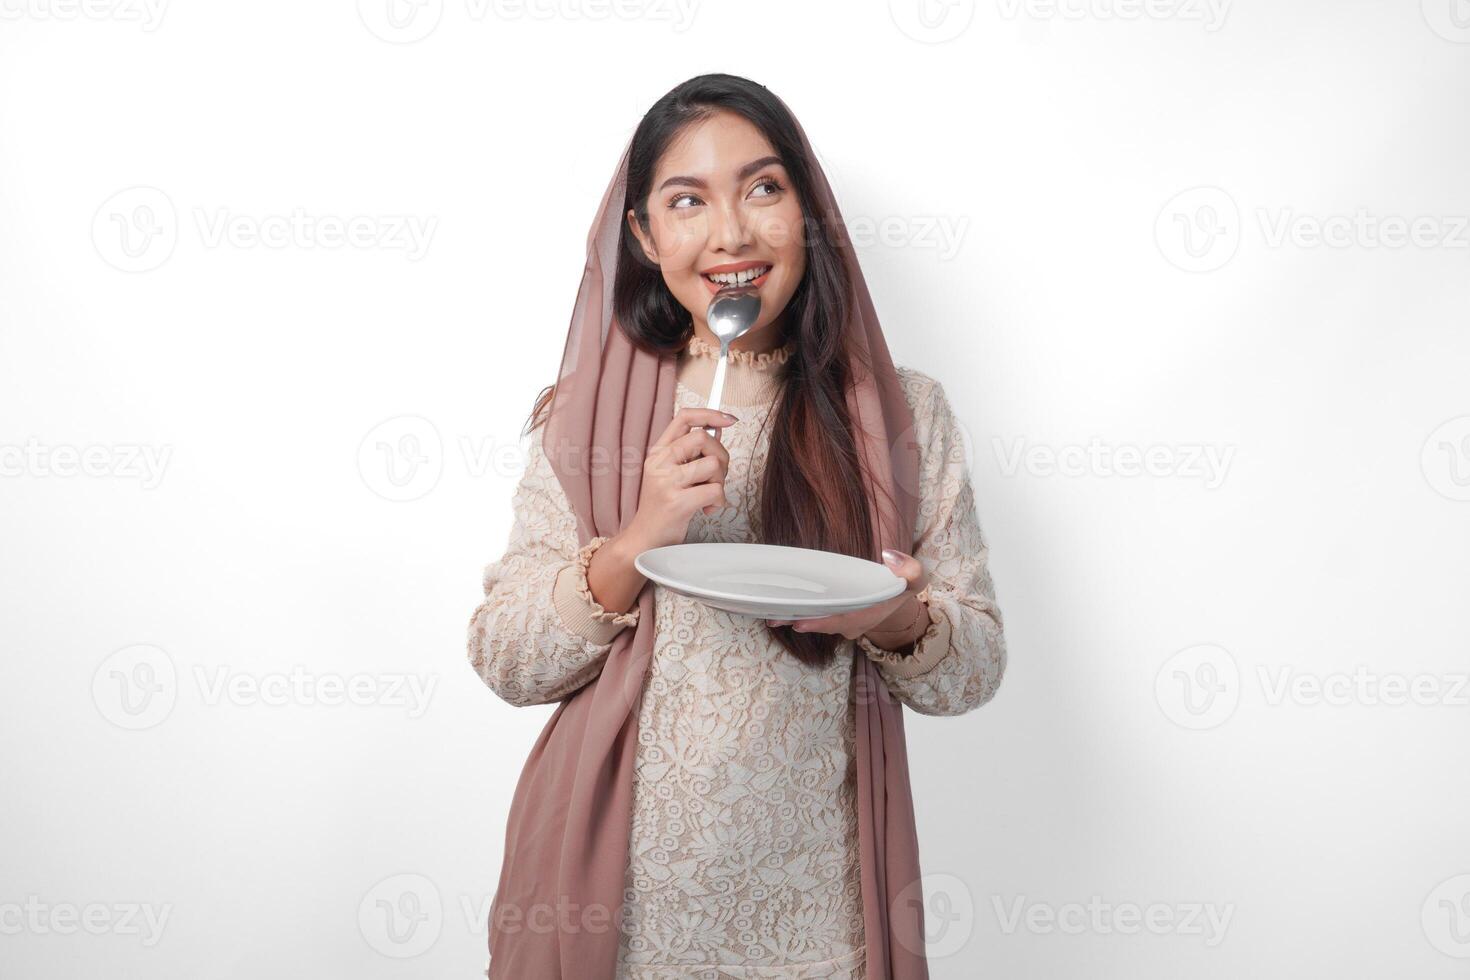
[{"x": 812, "y": 491}]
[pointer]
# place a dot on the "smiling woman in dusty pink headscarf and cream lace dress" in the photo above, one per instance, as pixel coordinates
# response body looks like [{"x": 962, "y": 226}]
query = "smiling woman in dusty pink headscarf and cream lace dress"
[{"x": 718, "y": 796}]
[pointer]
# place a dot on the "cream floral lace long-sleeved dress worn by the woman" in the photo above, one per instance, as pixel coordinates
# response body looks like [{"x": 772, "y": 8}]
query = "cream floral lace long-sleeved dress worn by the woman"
[{"x": 743, "y": 853}]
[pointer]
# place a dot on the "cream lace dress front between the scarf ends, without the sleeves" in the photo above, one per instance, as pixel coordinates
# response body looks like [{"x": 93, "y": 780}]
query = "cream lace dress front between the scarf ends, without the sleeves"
[{"x": 745, "y": 837}]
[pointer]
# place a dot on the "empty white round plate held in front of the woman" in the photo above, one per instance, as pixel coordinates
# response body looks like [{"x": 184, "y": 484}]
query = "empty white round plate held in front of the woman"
[{"x": 771, "y": 581}]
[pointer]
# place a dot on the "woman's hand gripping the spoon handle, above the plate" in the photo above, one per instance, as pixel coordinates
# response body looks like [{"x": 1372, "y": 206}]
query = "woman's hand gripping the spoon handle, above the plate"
[{"x": 684, "y": 471}]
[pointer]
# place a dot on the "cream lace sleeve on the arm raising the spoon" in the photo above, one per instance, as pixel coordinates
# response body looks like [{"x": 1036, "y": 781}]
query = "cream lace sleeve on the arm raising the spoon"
[{"x": 540, "y": 634}]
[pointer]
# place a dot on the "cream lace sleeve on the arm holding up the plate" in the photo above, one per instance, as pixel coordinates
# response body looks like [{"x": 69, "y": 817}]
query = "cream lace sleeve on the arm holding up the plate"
[{"x": 956, "y": 665}]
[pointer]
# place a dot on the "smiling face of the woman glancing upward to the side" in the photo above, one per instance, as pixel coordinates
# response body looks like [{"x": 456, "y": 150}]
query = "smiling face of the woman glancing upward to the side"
[{"x": 723, "y": 211}]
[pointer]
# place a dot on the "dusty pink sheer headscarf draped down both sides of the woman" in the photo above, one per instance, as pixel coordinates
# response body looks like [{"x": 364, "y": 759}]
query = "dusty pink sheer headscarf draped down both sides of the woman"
[{"x": 558, "y": 909}]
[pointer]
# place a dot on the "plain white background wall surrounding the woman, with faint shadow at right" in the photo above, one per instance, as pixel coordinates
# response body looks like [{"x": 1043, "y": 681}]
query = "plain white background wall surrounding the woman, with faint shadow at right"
[{"x": 1097, "y": 233}]
